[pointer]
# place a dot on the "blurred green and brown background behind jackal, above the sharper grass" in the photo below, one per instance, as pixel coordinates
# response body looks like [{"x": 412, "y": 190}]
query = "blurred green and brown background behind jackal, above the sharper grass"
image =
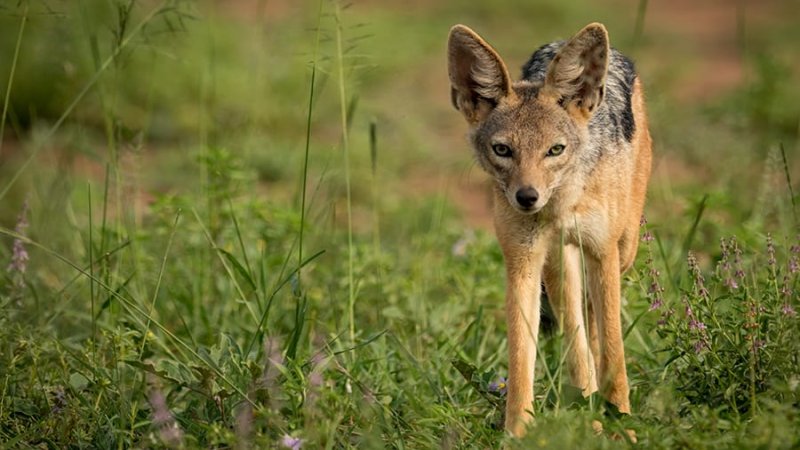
[{"x": 234, "y": 76}]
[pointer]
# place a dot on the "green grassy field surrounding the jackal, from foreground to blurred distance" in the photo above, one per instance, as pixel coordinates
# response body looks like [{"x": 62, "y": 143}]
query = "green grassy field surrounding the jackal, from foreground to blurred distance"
[{"x": 193, "y": 263}]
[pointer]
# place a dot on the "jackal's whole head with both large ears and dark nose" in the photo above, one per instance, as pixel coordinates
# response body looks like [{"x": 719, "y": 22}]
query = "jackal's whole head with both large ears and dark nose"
[{"x": 529, "y": 135}]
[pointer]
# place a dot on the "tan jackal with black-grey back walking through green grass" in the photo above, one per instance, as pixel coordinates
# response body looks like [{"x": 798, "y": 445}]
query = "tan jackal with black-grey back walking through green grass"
[{"x": 570, "y": 153}]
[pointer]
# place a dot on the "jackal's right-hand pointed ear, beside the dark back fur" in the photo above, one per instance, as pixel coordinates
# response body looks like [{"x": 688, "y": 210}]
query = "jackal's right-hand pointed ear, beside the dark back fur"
[{"x": 576, "y": 77}]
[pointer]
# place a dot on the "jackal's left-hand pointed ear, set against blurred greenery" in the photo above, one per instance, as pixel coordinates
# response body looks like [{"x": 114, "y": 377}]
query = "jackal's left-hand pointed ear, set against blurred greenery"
[{"x": 478, "y": 77}]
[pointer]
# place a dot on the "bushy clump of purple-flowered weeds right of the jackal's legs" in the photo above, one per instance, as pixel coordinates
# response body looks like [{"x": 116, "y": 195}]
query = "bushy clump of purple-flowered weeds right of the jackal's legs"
[{"x": 733, "y": 346}]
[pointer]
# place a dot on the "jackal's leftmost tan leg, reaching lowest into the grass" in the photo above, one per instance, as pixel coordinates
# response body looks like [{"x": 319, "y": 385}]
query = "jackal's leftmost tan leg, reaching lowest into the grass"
[{"x": 523, "y": 270}]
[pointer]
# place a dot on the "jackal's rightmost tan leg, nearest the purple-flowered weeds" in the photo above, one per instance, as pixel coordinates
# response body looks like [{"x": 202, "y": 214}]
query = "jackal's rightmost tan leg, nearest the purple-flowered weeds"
[{"x": 604, "y": 275}]
